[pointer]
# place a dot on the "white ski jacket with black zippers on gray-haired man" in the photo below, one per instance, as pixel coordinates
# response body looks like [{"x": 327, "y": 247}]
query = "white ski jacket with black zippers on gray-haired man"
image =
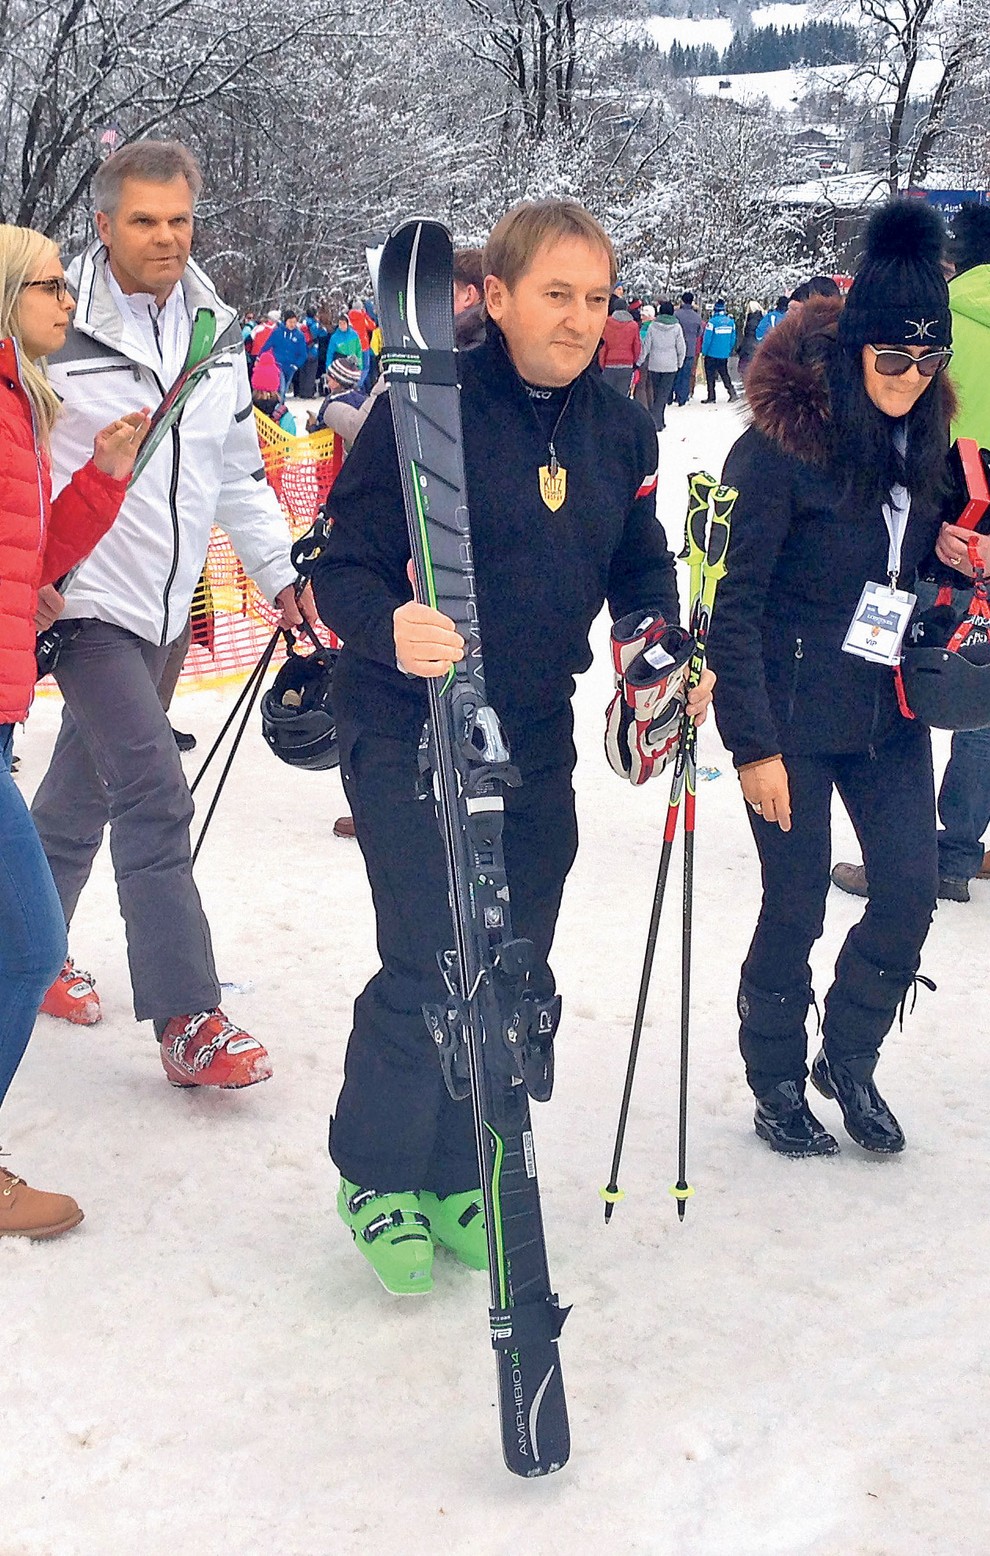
[{"x": 206, "y": 472}]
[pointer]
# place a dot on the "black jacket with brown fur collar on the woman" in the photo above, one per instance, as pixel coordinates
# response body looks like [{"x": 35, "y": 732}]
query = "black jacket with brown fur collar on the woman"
[{"x": 799, "y": 556}]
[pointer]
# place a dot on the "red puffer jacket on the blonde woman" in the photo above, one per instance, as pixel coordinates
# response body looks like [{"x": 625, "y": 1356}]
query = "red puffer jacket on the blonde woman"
[{"x": 40, "y": 539}]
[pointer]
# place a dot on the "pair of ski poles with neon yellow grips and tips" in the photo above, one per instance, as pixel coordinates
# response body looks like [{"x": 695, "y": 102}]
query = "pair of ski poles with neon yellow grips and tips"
[{"x": 707, "y": 531}]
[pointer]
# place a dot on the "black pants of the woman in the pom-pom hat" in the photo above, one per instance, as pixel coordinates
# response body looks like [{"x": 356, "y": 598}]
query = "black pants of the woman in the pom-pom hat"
[{"x": 891, "y": 804}]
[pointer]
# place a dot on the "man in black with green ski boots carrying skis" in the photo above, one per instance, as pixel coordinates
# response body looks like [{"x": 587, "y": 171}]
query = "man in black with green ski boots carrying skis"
[{"x": 563, "y": 478}]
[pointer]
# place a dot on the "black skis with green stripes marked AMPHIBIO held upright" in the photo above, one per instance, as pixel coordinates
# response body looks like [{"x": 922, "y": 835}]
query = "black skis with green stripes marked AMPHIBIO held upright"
[{"x": 494, "y": 1034}]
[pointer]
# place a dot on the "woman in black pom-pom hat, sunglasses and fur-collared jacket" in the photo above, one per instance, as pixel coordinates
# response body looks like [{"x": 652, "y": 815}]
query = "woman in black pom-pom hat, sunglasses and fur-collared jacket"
[{"x": 840, "y": 482}]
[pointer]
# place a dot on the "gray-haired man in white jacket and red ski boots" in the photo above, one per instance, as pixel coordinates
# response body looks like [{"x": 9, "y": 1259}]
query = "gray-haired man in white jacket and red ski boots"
[{"x": 116, "y": 762}]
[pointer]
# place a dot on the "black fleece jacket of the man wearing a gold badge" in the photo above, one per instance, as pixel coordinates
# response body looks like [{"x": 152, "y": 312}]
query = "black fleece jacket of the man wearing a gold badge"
[{"x": 542, "y": 578}]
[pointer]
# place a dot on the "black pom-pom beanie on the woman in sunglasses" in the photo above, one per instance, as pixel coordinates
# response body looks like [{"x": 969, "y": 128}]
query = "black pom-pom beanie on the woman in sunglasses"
[{"x": 900, "y": 296}]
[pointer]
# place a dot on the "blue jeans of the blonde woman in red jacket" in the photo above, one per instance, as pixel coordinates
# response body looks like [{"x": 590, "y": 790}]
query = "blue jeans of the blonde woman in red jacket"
[{"x": 32, "y": 922}]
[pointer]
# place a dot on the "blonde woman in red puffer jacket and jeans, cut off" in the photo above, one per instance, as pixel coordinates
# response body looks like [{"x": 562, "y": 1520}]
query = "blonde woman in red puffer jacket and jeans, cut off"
[{"x": 40, "y": 541}]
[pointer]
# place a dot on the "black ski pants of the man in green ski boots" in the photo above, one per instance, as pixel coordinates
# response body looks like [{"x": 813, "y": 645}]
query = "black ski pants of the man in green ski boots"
[{"x": 396, "y": 1127}]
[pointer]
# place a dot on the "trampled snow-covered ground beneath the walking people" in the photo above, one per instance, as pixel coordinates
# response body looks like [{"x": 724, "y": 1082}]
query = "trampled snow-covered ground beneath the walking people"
[{"x": 208, "y": 1367}]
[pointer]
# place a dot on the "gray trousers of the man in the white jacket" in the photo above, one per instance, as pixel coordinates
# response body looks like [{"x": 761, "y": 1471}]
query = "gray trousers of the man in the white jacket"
[{"x": 116, "y": 762}]
